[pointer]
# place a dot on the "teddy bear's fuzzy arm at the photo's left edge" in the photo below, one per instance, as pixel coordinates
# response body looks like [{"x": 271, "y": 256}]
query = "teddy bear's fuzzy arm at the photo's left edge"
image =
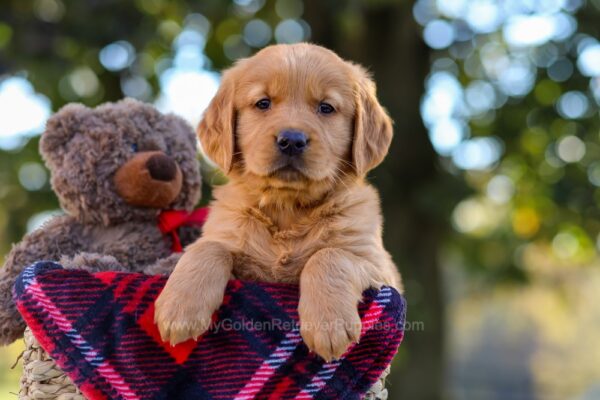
[{"x": 49, "y": 242}]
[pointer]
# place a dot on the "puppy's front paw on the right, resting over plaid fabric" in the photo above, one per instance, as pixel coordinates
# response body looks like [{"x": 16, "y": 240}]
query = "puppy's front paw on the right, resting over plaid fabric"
[{"x": 328, "y": 331}]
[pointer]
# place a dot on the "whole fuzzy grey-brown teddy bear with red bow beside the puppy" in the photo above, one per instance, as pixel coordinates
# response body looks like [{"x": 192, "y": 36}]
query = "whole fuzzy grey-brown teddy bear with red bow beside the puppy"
[{"x": 114, "y": 169}]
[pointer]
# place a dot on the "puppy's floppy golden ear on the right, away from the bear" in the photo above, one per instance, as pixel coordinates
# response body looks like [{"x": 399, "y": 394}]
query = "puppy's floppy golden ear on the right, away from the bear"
[{"x": 372, "y": 125}]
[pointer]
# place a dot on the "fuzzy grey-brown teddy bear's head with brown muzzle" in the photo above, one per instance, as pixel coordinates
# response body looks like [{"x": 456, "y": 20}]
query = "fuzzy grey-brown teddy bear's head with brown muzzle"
[{"x": 120, "y": 162}]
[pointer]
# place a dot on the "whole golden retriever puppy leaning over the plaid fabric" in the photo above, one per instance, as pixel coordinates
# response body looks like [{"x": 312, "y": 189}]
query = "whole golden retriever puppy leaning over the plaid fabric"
[{"x": 296, "y": 129}]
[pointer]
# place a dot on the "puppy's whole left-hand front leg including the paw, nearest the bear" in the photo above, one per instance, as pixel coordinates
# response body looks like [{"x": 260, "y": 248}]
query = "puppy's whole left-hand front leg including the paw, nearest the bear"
[{"x": 193, "y": 292}]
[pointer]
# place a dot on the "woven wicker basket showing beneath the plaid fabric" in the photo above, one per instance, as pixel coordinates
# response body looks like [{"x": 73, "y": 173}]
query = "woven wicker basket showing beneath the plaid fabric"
[{"x": 43, "y": 379}]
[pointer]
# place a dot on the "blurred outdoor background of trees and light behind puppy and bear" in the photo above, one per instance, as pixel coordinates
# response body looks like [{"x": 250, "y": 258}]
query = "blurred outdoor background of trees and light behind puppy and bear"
[{"x": 490, "y": 191}]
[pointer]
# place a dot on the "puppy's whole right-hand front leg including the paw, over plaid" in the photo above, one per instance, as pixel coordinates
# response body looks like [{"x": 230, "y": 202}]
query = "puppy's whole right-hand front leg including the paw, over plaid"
[{"x": 331, "y": 286}]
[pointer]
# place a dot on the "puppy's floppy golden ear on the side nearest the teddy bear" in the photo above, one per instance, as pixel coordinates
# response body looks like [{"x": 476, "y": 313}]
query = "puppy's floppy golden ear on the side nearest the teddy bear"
[{"x": 217, "y": 128}]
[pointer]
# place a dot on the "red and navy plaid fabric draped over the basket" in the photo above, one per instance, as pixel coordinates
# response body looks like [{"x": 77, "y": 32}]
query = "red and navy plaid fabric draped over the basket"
[{"x": 99, "y": 329}]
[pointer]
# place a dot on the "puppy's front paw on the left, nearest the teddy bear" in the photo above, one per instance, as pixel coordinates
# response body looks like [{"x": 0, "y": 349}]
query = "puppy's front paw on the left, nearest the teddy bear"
[{"x": 181, "y": 316}]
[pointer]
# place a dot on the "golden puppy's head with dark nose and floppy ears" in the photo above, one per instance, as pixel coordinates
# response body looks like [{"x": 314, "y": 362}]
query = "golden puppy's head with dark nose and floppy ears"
[{"x": 296, "y": 117}]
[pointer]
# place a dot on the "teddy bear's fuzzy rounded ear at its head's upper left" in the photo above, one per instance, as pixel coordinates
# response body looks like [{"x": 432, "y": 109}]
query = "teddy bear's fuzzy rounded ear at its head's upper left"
[{"x": 60, "y": 129}]
